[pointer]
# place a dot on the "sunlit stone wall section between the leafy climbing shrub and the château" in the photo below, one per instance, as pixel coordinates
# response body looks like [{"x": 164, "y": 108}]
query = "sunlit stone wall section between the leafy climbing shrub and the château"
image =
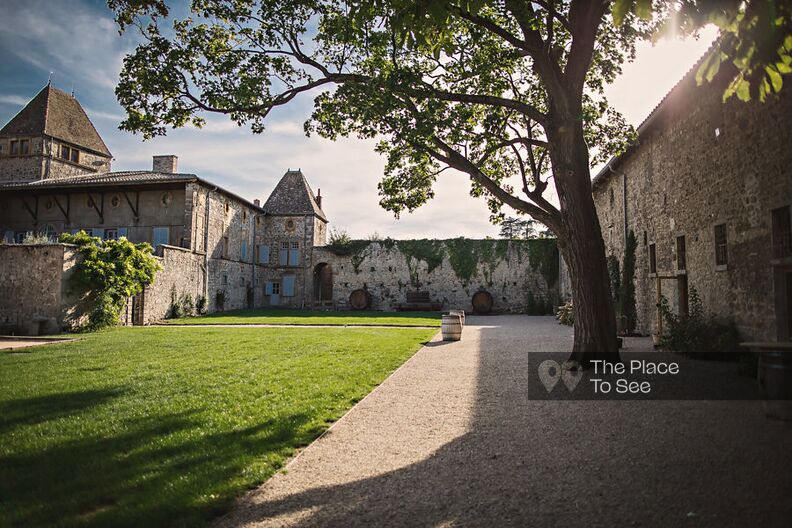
[{"x": 181, "y": 274}]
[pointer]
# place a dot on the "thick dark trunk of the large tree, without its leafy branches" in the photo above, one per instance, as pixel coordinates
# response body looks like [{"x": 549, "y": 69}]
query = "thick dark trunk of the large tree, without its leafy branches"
[{"x": 583, "y": 251}]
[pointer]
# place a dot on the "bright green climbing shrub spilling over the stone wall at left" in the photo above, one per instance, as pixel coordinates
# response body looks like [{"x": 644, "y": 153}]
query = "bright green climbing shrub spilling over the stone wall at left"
[{"x": 111, "y": 271}]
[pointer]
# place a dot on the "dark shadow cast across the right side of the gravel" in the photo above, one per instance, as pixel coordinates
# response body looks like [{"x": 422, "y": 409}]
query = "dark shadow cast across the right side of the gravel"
[{"x": 524, "y": 462}]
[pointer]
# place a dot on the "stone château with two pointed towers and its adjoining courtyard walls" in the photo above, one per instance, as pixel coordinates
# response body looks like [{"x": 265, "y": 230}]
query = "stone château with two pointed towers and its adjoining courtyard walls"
[{"x": 55, "y": 177}]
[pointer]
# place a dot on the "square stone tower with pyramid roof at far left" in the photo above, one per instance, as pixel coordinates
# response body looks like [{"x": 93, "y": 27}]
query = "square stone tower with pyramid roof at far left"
[{"x": 51, "y": 137}]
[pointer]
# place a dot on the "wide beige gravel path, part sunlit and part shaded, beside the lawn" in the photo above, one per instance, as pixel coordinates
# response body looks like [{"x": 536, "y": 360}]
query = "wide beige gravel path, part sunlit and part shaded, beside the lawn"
[{"x": 452, "y": 439}]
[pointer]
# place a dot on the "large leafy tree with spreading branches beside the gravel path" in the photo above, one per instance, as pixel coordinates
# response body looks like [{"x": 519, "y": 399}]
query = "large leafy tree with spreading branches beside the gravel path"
[{"x": 509, "y": 92}]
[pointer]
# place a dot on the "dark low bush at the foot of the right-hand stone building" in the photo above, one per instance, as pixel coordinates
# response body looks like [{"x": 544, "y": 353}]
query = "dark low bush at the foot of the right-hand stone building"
[{"x": 698, "y": 334}]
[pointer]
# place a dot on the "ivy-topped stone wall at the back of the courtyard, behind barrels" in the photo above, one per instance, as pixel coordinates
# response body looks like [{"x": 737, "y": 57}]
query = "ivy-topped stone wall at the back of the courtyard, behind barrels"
[{"x": 516, "y": 273}]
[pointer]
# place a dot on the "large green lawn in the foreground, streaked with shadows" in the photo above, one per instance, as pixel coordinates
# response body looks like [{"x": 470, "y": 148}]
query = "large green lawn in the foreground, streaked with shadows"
[{"x": 165, "y": 426}]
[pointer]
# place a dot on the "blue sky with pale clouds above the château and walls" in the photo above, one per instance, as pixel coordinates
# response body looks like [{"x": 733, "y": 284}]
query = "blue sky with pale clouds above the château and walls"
[{"x": 78, "y": 42}]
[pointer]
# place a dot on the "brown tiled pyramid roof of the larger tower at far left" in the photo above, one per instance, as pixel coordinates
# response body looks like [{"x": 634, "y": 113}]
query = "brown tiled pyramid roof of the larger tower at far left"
[{"x": 57, "y": 114}]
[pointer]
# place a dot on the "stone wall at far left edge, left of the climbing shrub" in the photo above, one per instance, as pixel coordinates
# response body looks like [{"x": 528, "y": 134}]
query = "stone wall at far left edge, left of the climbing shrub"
[{"x": 36, "y": 294}]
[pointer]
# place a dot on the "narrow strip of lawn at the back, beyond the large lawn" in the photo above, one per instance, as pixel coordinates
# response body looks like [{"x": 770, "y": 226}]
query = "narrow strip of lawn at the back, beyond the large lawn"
[{"x": 312, "y": 317}]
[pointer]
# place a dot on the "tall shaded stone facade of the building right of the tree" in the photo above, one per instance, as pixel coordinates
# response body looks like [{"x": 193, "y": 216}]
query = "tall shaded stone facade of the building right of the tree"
[{"x": 701, "y": 164}]
